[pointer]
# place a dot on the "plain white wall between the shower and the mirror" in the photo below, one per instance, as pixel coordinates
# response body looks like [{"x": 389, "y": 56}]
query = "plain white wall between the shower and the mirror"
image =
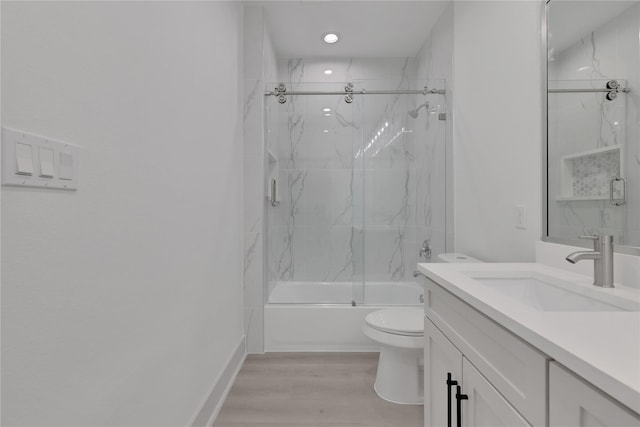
[{"x": 497, "y": 127}]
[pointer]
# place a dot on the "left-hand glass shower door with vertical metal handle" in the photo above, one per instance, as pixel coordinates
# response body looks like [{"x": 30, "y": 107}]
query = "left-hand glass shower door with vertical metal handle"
[{"x": 315, "y": 242}]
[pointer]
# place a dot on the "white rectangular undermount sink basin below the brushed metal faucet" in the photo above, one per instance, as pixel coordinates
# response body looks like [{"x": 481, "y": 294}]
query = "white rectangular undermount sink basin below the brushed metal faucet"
[{"x": 547, "y": 293}]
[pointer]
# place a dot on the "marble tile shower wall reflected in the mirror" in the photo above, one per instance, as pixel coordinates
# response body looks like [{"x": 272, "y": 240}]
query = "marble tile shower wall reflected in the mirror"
[{"x": 579, "y": 122}]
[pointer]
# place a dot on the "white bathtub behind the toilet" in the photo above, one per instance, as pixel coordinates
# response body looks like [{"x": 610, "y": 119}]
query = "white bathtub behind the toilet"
[{"x": 327, "y": 320}]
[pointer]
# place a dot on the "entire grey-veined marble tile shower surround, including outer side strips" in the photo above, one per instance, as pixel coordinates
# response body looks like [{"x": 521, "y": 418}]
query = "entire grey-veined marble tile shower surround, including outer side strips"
[{"x": 344, "y": 213}]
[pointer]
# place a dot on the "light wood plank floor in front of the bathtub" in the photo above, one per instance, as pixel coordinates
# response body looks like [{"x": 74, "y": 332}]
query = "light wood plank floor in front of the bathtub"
[{"x": 312, "y": 389}]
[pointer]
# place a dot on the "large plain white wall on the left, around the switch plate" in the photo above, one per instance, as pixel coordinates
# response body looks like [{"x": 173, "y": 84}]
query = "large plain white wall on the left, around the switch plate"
[{"x": 122, "y": 302}]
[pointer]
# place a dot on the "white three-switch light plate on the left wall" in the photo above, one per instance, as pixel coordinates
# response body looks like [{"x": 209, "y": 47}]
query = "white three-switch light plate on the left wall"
[{"x": 43, "y": 168}]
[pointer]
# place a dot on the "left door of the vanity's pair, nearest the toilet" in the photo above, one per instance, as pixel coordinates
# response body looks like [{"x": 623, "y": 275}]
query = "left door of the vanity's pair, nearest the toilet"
[{"x": 440, "y": 358}]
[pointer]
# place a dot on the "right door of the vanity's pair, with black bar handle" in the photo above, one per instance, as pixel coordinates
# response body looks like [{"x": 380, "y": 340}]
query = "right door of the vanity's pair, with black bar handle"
[{"x": 485, "y": 407}]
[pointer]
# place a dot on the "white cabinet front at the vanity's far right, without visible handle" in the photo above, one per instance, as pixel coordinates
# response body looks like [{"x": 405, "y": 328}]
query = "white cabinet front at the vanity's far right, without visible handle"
[{"x": 573, "y": 402}]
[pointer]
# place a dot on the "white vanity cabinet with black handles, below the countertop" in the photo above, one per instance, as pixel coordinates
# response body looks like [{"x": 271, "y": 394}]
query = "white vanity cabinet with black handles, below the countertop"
[{"x": 502, "y": 379}]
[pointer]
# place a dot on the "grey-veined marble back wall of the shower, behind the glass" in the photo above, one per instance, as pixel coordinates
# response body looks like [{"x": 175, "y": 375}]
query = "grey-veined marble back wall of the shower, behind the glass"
[{"x": 349, "y": 207}]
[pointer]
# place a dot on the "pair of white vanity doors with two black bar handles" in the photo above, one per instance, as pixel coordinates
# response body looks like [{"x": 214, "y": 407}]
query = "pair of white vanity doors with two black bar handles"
[{"x": 455, "y": 388}]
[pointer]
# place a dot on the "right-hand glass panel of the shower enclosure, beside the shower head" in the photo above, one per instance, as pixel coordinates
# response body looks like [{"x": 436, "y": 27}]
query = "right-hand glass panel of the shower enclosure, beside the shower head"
[{"x": 404, "y": 184}]
